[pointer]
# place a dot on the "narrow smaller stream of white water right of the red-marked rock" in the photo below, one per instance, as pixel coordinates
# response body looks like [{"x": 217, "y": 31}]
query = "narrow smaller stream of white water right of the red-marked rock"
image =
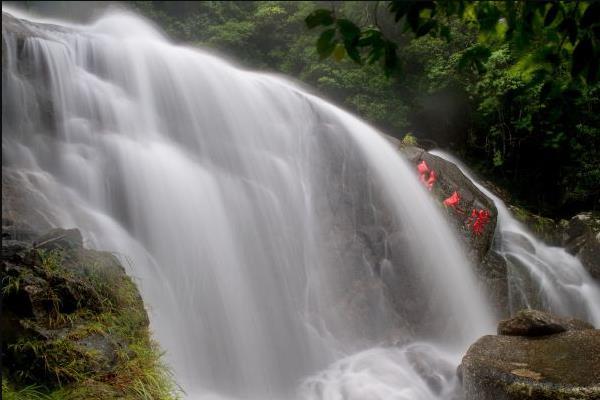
[{"x": 540, "y": 276}]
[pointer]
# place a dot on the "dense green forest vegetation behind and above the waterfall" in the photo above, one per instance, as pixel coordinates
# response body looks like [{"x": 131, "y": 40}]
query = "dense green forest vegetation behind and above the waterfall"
[{"x": 512, "y": 87}]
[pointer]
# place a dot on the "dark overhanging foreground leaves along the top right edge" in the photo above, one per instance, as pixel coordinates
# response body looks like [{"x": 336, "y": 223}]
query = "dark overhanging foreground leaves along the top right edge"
[{"x": 522, "y": 24}]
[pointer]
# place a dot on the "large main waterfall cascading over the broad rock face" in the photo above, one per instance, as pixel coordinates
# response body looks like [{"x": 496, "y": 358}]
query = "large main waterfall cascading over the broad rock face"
[{"x": 248, "y": 209}]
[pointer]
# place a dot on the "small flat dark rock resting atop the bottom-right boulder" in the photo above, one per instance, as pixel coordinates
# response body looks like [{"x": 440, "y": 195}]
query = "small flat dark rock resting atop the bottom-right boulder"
[{"x": 539, "y": 323}]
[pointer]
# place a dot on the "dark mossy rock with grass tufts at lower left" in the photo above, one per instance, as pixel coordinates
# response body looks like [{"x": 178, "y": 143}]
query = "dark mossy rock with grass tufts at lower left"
[{"x": 74, "y": 325}]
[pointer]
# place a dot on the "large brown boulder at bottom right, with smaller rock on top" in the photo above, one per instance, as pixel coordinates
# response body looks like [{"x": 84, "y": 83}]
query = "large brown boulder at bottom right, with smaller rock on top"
[{"x": 554, "y": 366}]
